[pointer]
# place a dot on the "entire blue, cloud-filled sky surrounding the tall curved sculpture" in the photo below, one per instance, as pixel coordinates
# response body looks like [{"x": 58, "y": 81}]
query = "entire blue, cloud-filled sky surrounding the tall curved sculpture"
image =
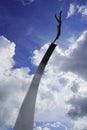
[{"x": 27, "y": 28}]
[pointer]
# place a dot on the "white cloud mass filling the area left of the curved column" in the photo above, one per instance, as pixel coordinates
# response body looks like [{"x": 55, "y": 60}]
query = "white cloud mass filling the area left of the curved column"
[{"x": 13, "y": 84}]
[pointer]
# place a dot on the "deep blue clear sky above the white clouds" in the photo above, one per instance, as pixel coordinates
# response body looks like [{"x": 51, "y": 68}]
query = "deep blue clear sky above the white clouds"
[{"x": 33, "y": 24}]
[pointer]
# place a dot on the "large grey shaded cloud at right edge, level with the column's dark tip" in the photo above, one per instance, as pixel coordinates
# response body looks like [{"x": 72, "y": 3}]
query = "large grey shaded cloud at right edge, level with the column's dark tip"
[{"x": 77, "y": 60}]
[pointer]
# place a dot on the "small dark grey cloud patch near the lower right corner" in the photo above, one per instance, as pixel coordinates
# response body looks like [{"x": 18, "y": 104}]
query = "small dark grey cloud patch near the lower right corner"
[{"x": 79, "y": 107}]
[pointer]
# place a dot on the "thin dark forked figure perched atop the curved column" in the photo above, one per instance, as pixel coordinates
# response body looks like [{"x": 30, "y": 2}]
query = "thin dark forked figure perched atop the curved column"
[{"x": 58, "y": 26}]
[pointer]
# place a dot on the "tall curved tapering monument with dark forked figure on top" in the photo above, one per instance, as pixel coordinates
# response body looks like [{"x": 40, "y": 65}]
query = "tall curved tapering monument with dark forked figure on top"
[{"x": 26, "y": 114}]
